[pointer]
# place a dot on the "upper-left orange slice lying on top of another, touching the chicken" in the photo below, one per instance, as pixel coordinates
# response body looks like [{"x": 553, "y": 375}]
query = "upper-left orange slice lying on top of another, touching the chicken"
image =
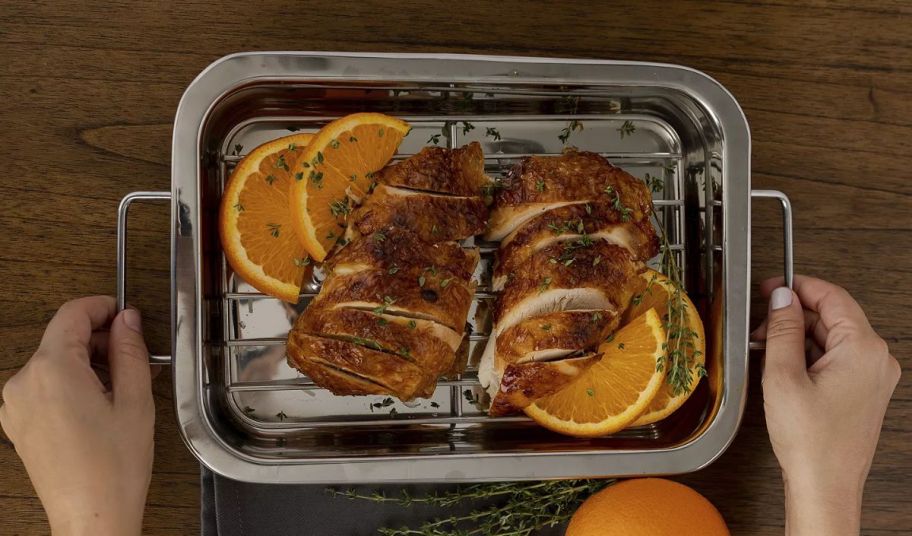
[{"x": 338, "y": 163}]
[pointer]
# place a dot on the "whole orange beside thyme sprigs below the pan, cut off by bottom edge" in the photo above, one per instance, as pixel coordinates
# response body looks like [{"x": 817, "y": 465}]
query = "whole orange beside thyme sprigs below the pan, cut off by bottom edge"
[{"x": 647, "y": 507}]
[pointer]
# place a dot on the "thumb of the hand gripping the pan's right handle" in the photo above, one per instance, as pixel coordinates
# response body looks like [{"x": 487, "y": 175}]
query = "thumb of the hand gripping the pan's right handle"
[{"x": 785, "y": 336}]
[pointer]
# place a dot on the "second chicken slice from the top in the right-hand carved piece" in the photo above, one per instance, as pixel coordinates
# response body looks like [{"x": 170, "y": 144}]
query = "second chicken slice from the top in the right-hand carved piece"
[{"x": 570, "y": 224}]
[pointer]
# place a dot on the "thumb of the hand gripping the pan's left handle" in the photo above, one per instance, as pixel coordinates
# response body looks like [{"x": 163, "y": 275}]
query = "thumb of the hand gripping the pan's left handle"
[{"x": 128, "y": 359}]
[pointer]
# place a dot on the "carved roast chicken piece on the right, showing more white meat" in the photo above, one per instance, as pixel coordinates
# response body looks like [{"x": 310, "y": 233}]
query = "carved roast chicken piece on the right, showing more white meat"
[{"x": 574, "y": 233}]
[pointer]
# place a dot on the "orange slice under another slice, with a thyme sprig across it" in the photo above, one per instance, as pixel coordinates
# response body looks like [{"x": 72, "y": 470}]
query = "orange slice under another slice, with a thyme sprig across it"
[{"x": 656, "y": 293}]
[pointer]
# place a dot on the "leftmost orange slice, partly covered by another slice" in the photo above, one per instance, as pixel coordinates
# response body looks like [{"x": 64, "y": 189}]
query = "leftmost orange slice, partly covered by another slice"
[{"x": 255, "y": 225}]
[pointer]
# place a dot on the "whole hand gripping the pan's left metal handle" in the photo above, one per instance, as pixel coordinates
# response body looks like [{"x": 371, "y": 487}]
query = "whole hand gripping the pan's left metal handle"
[{"x": 87, "y": 448}]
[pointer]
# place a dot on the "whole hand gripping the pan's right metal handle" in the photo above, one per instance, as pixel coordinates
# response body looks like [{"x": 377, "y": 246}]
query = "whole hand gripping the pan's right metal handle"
[{"x": 827, "y": 380}]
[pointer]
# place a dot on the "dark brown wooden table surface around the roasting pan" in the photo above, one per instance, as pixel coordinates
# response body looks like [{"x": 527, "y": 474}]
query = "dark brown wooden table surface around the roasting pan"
[{"x": 88, "y": 95}]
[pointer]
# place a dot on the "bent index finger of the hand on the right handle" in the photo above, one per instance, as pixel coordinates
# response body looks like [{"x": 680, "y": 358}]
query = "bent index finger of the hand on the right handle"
[{"x": 840, "y": 314}]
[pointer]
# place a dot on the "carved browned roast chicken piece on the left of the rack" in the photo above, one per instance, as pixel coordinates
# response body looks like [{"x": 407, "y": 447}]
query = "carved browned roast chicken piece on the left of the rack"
[{"x": 391, "y": 314}]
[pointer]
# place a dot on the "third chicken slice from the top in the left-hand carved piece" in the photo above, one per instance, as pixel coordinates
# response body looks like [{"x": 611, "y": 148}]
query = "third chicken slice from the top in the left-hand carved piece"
[{"x": 394, "y": 248}]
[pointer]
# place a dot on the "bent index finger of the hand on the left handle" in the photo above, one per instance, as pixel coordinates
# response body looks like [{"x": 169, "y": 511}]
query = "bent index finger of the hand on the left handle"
[{"x": 75, "y": 321}]
